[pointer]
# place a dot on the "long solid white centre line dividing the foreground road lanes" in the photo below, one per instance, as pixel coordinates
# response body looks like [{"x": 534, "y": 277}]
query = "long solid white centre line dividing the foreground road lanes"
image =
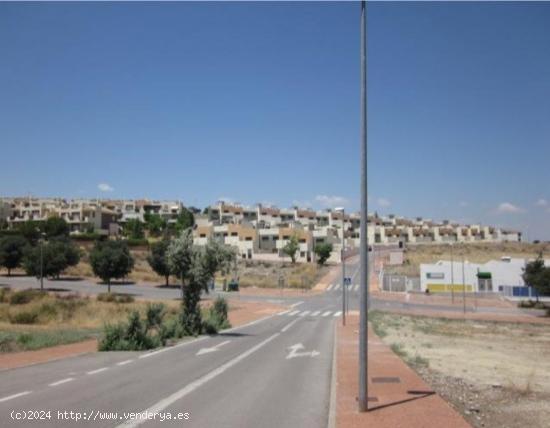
[{"x": 178, "y": 395}]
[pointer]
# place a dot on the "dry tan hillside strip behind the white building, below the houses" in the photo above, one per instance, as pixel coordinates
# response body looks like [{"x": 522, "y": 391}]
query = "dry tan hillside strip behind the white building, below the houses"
[{"x": 473, "y": 252}]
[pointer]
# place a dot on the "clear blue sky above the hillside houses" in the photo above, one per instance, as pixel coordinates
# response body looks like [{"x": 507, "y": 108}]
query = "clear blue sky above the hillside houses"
[{"x": 259, "y": 102}]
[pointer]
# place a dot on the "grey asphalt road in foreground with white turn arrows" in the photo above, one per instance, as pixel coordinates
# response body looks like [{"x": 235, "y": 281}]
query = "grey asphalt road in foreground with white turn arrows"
[{"x": 272, "y": 373}]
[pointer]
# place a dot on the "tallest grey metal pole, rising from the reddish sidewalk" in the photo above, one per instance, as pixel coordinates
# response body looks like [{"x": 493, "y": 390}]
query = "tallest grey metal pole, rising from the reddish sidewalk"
[{"x": 364, "y": 242}]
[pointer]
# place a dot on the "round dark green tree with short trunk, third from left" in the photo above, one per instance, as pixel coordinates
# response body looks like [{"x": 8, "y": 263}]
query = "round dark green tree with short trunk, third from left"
[{"x": 111, "y": 260}]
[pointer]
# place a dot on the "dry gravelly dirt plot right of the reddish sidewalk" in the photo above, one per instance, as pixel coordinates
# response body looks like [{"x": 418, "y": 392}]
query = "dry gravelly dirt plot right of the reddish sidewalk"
[{"x": 495, "y": 374}]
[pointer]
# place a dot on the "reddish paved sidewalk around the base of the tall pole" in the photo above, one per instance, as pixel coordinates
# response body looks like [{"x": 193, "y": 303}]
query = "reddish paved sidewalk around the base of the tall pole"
[{"x": 390, "y": 381}]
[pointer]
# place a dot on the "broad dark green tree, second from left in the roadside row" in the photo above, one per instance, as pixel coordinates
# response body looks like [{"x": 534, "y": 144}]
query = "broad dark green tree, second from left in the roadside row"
[{"x": 57, "y": 255}]
